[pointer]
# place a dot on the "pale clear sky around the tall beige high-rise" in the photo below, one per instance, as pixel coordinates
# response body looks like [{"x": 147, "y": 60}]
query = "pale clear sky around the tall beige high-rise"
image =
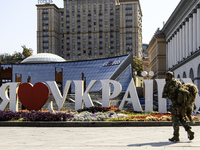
[{"x": 19, "y": 21}]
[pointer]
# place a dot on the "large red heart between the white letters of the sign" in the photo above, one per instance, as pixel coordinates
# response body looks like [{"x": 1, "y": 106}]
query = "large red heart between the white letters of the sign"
[{"x": 33, "y": 97}]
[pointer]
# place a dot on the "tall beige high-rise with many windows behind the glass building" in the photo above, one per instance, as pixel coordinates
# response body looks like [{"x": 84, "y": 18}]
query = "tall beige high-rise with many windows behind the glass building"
[{"x": 86, "y": 29}]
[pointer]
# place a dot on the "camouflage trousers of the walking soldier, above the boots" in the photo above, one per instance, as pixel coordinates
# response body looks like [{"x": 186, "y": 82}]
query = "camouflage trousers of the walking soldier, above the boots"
[{"x": 175, "y": 122}]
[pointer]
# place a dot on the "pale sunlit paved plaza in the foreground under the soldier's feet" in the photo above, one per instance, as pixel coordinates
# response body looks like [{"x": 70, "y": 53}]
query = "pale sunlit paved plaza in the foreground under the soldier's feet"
[{"x": 95, "y": 138}]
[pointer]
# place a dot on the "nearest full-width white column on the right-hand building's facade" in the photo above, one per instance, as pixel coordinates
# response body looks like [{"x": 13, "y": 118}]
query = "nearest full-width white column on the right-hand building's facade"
[{"x": 194, "y": 31}]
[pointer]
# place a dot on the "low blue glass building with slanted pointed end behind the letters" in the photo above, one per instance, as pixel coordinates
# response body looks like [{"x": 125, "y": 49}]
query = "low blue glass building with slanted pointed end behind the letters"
[{"x": 115, "y": 68}]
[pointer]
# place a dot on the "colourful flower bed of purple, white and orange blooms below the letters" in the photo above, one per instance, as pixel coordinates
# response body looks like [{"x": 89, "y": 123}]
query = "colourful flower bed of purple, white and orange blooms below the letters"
[{"x": 87, "y": 114}]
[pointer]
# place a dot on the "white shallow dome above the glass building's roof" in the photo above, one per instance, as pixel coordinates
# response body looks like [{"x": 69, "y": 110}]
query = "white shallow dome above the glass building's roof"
[{"x": 43, "y": 58}]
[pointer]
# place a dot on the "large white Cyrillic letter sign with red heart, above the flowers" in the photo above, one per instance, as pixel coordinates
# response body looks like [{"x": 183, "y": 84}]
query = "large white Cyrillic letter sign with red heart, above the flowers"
[{"x": 33, "y": 97}]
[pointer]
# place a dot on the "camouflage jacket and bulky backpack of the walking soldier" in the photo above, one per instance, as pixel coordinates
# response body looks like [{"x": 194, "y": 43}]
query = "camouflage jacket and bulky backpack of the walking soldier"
[{"x": 182, "y": 96}]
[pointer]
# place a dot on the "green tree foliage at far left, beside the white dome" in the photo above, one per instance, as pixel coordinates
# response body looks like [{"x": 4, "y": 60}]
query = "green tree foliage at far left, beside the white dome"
[{"x": 17, "y": 56}]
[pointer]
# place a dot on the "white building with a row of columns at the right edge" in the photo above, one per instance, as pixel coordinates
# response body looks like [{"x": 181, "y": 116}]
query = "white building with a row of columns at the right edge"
[{"x": 182, "y": 32}]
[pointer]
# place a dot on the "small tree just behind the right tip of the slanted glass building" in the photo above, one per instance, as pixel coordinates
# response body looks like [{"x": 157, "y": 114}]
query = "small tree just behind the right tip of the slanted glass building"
[{"x": 137, "y": 65}]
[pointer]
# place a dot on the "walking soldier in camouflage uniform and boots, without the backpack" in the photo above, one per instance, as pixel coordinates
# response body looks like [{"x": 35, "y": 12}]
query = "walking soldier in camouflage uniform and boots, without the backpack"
[{"x": 171, "y": 90}]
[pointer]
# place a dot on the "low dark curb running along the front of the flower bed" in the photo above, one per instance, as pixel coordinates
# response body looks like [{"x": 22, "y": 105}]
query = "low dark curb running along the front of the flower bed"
[{"x": 87, "y": 124}]
